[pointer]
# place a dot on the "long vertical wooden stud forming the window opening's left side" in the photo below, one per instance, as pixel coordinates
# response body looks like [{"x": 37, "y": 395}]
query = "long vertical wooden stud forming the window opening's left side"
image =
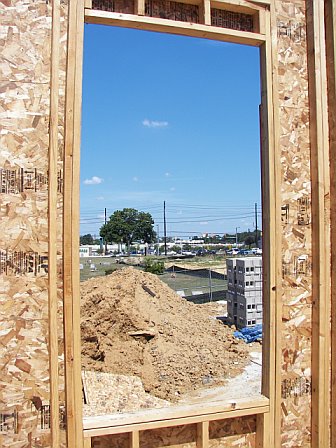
[{"x": 71, "y": 225}]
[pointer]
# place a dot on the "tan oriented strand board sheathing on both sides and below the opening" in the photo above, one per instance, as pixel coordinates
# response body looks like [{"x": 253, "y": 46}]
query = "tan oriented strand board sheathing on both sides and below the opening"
[{"x": 25, "y": 33}]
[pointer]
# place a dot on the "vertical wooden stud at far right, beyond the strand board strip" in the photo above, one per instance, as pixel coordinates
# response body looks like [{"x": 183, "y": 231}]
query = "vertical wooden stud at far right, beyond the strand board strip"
[{"x": 320, "y": 223}]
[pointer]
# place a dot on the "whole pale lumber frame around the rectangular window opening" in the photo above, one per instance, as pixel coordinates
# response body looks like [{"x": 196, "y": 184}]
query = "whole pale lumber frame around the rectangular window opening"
[{"x": 264, "y": 408}]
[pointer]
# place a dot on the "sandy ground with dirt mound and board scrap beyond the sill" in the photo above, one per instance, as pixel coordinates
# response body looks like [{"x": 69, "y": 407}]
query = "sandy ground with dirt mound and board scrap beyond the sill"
[{"x": 145, "y": 347}]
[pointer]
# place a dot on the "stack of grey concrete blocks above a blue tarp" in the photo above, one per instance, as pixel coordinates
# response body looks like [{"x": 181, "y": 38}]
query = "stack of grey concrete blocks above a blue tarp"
[{"x": 244, "y": 296}]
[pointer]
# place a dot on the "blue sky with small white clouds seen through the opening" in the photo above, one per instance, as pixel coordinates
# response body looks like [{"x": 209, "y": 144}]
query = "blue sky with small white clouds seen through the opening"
[{"x": 169, "y": 118}]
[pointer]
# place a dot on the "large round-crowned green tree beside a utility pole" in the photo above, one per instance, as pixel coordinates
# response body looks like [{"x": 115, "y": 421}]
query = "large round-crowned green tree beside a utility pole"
[{"x": 129, "y": 225}]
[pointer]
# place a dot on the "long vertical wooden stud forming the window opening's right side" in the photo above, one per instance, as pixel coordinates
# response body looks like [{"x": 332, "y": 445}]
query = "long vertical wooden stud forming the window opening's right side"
[{"x": 270, "y": 174}]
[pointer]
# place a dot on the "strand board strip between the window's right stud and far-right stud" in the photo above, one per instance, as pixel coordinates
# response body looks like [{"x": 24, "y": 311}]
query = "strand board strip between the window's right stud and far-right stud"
[{"x": 296, "y": 222}]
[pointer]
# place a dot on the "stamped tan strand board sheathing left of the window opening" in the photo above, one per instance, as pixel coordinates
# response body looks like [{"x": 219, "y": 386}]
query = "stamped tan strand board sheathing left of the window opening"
[{"x": 25, "y": 41}]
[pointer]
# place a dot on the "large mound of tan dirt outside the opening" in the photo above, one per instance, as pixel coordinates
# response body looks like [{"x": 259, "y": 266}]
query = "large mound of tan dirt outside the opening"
[{"x": 133, "y": 324}]
